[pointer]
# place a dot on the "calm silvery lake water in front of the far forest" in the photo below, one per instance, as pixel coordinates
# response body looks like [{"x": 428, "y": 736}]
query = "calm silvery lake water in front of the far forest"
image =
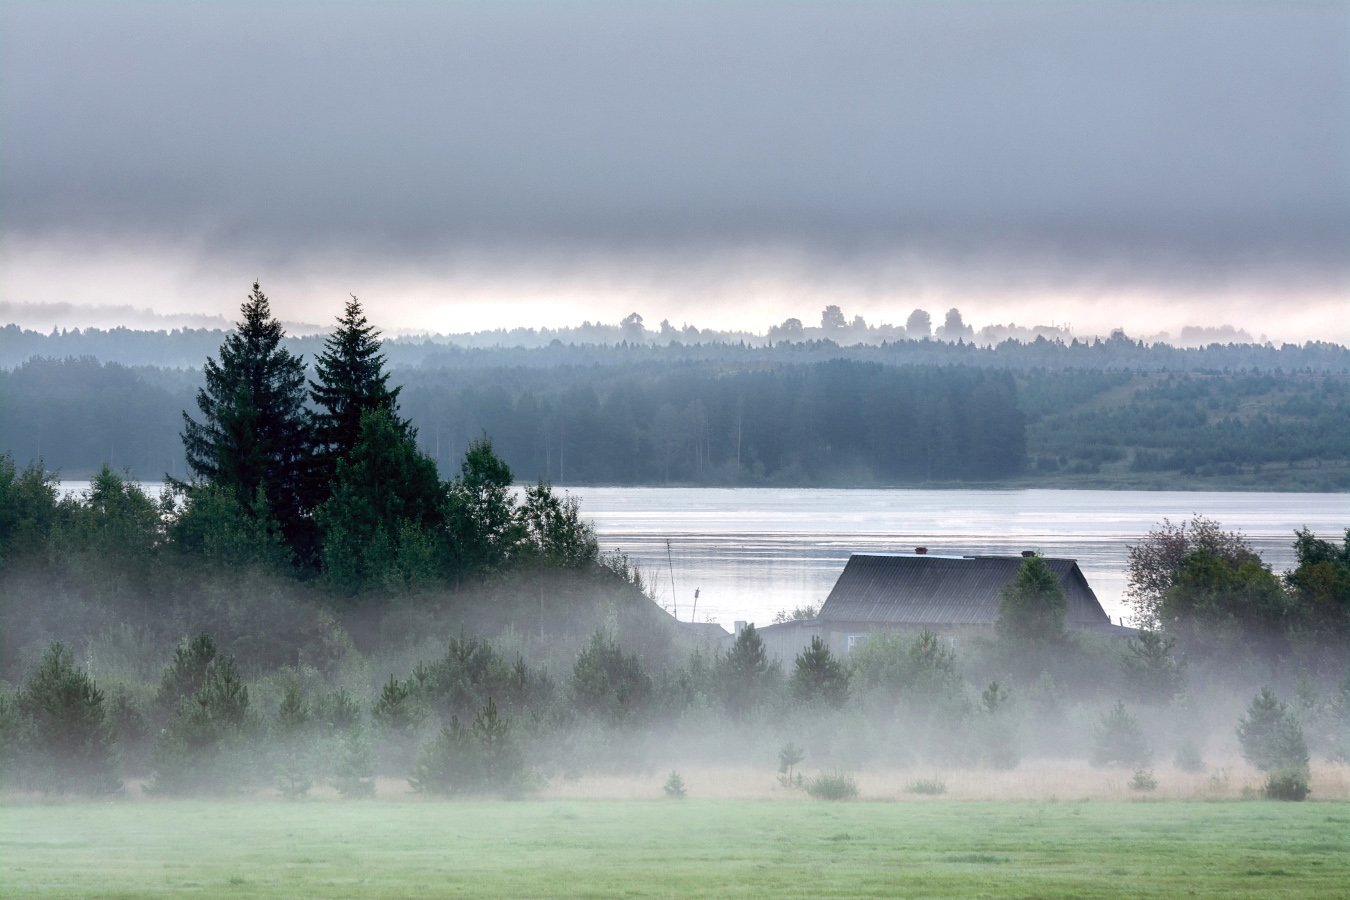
[{"x": 751, "y": 553}]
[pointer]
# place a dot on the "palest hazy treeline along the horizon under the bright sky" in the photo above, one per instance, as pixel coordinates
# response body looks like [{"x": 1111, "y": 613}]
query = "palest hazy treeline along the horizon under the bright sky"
[{"x": 607, "y": 346}]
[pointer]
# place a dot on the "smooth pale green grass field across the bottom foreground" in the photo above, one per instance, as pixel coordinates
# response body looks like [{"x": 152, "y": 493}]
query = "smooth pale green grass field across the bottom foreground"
[{"x": 711, "y": 848}]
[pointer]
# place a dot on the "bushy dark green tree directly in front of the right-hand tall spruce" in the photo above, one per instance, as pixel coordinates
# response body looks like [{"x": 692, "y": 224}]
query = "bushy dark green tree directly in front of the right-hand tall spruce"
[{"x": 379, "y": 526}]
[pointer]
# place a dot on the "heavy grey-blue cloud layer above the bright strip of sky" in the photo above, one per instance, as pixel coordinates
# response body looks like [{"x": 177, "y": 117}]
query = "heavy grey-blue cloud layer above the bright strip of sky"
[{"x": 1204, "y": 137}]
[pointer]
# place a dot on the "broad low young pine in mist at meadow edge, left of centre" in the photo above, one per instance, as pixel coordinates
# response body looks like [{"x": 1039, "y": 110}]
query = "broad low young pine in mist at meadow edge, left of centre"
[{"x": 481, "y": 759}]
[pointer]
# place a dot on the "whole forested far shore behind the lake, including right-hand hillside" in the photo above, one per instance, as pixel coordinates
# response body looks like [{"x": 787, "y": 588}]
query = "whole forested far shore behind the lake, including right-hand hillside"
[{"x": 664, "y": 422}]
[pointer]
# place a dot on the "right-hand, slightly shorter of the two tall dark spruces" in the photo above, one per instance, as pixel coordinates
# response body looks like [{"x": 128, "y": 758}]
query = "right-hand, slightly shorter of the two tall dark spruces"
[{"x": 350, "y": 383}]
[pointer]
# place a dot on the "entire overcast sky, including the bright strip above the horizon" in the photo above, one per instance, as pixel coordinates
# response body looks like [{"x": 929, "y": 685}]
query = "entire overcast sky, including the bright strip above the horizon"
[{"x": 476, "y": 165}]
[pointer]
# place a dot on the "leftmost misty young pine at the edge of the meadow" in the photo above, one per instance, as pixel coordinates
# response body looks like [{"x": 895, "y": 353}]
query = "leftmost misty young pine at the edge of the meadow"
[{"x": 70, "y": 743}]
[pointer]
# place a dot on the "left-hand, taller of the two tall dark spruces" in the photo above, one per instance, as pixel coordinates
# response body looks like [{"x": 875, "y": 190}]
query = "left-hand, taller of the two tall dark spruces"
[{"x": 253, "y": 434}]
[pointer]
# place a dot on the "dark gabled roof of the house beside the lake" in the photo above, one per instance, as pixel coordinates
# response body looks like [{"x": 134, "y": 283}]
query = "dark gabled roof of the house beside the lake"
[{"x": 944, "y": 590}]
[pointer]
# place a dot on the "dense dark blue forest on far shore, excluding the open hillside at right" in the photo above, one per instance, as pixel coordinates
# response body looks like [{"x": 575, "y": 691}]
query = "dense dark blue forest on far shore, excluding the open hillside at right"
[{"x": 834, "y": 423}]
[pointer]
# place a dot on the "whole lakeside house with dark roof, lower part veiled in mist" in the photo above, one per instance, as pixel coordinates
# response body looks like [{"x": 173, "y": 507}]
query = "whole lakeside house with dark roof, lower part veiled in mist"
[{"x": 911, "y": 593}]
